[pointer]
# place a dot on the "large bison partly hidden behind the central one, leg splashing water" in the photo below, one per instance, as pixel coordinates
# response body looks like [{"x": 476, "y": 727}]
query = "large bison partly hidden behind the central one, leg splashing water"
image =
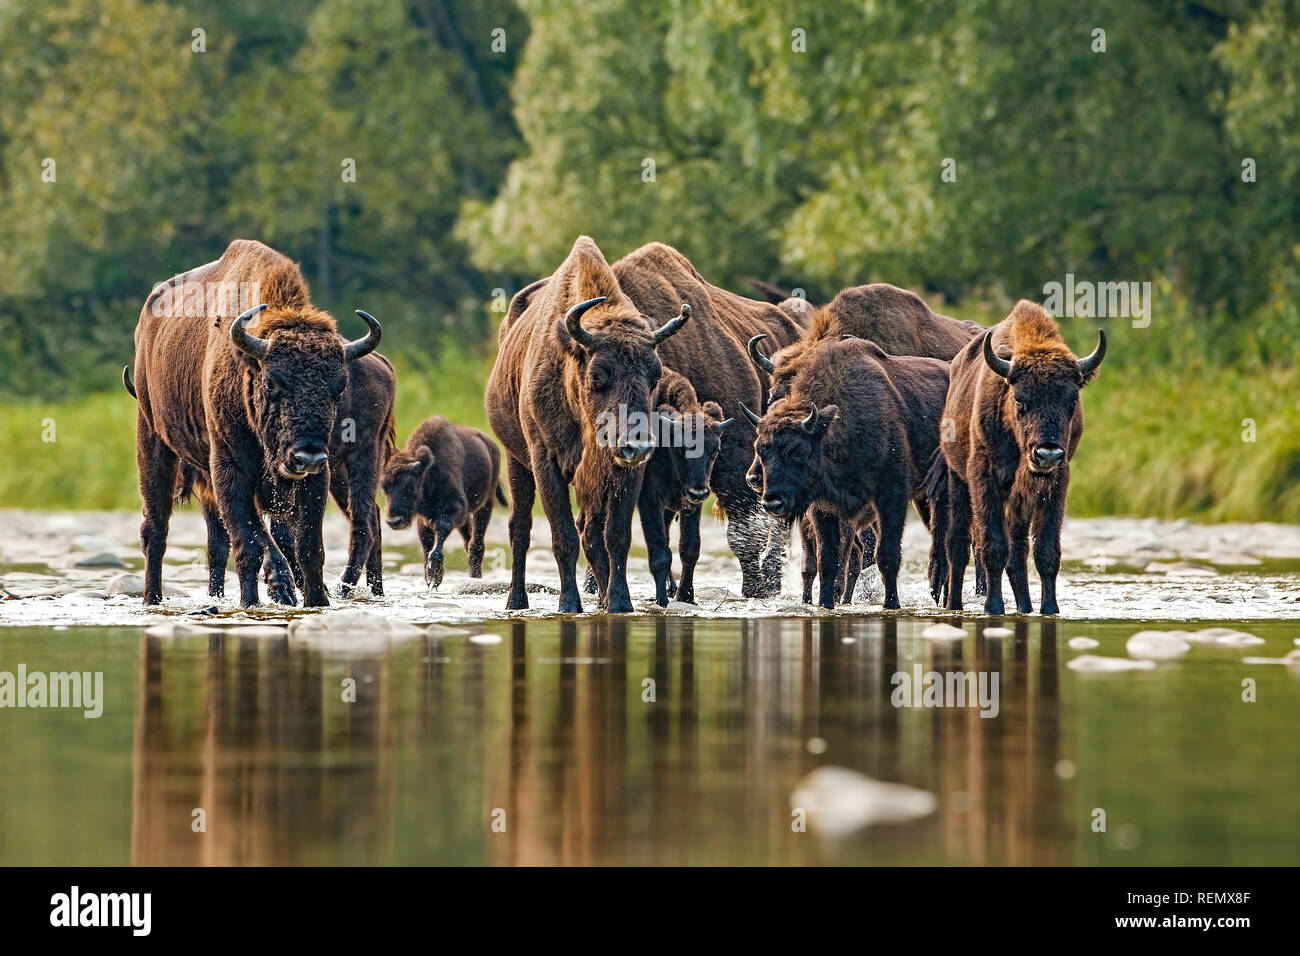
[{"x": 710, "y": 354}]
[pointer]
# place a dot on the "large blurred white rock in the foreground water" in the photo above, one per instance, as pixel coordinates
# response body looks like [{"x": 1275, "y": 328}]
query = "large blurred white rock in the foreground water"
[{"x": 839, "y": 802}]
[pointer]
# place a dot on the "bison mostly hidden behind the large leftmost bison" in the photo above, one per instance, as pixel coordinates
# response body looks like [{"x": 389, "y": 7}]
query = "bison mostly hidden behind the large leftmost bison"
[{"x": 361, "y": 443}]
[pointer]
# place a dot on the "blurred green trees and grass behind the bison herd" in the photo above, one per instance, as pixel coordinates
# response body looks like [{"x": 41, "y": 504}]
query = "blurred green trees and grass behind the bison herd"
[{"x": 795, "y": 142}]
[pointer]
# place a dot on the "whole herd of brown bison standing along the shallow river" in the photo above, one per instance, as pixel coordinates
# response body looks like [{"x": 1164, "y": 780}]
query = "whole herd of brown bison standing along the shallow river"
[{"x": 830, "y": 419}]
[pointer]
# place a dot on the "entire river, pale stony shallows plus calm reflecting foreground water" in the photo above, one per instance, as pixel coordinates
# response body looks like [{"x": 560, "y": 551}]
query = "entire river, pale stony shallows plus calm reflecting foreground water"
[{"x": 474, "y": 737}]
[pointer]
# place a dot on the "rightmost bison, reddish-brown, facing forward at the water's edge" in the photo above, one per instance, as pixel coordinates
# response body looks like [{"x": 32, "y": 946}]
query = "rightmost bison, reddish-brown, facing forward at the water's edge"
[{"x": 1017, "y": 425}]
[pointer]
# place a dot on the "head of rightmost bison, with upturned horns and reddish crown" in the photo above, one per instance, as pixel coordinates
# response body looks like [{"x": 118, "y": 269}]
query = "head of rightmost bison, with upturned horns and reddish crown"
[{"x": 1043, "y": 399}]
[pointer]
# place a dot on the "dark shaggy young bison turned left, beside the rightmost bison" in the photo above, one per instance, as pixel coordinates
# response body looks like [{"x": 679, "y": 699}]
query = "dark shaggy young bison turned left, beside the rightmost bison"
[{"x": 853, "y": 442}]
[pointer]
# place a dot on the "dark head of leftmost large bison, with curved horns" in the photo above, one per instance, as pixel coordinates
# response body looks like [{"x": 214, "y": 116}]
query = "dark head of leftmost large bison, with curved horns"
[{"x": 301, "y": 373}]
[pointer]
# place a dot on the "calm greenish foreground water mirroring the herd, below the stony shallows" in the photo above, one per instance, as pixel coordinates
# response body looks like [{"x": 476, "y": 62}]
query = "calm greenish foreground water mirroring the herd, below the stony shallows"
[{"x": 543, "y": 728}]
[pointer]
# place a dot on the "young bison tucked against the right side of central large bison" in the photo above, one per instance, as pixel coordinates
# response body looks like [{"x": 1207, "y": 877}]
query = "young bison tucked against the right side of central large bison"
[{"x": 677, "y": 483}]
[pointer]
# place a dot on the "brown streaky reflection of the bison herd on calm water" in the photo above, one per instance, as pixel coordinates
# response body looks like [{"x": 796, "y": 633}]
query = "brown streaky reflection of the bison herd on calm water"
[{"x": 595, "y": 741}]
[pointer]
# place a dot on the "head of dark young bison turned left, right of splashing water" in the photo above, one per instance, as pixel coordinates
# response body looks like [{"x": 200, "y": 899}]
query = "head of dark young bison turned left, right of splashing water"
[{"x": 790, "y": 455}]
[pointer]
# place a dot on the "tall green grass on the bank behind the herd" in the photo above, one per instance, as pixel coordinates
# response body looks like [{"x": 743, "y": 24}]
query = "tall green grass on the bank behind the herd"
[{"x": 1167, "y": 422}]
